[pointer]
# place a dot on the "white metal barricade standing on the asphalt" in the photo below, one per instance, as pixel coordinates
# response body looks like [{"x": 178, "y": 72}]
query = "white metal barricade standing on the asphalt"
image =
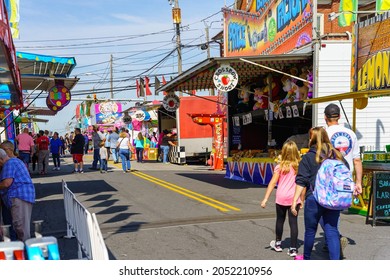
[{"x": 84, "y": 226}]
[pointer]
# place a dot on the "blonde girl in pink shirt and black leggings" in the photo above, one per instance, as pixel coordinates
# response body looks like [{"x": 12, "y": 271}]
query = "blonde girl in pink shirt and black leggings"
[{"x": 284, "y": 176}]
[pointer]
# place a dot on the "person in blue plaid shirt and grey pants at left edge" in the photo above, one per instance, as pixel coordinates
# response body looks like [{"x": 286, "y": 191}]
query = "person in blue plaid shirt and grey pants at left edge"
[{"x": 18, "y": 193}]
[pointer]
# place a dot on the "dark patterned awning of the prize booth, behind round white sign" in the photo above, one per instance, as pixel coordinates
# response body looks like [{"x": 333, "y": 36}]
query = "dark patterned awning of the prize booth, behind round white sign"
[{"x": 200, "y": 76}]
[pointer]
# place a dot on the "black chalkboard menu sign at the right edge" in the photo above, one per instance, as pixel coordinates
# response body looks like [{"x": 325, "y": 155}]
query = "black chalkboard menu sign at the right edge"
[{"x": 381, "y": 196}]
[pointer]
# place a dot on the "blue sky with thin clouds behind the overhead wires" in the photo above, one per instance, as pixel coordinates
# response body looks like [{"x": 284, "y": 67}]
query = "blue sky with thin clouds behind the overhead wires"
[{"x": 138, "y": 34}]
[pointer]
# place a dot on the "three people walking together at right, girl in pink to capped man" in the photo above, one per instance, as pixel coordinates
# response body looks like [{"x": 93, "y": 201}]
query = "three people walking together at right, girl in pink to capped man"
[{"x": 295, "y": 177}]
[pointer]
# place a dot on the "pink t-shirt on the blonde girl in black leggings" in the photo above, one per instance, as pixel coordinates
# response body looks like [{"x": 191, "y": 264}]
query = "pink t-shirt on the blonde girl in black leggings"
[{"x": 286, "y": 187}]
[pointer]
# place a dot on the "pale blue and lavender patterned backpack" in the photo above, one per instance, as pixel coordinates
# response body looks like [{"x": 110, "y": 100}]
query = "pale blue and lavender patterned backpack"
[{"x": 334, "y": 185}]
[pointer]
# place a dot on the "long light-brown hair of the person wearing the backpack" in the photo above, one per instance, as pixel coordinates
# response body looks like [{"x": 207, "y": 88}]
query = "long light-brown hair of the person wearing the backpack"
[{"x": 324, "y": 148}]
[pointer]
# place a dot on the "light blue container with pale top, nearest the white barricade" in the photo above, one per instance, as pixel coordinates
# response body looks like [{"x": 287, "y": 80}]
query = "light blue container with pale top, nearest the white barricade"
[{"x": 42, "y": 248}]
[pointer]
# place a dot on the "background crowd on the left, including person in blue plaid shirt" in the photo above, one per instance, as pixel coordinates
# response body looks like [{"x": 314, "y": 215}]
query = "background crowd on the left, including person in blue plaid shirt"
[{"x": 30, "y": 153}]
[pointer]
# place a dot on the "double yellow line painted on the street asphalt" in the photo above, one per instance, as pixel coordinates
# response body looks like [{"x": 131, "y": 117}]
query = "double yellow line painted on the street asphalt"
[{"x": 194, "y": 195}]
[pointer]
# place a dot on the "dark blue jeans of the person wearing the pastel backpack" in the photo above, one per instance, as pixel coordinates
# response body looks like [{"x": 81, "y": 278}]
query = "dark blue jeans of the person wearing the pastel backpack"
[{"x": 312, "y": 216}]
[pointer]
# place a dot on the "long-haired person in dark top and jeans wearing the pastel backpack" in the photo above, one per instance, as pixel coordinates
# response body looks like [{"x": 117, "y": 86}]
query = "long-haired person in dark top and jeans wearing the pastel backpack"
[{"x": 320, "y": 150}]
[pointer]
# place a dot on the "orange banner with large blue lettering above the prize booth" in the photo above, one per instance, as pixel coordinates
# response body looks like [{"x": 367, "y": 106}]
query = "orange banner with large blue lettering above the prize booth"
[{"x": 275, "y": 28}]
